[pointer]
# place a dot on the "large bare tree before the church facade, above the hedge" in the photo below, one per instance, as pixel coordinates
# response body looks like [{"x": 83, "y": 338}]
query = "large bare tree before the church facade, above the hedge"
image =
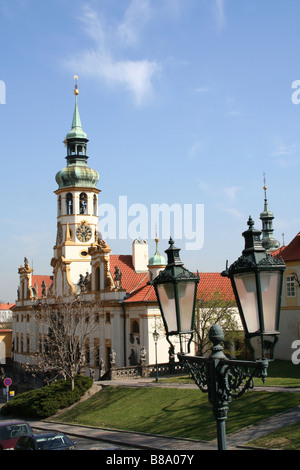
[{"x": 63, "y": 330}]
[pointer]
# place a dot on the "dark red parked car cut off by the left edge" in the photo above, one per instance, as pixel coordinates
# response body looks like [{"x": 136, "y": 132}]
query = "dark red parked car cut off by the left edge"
[{"x": 11, "y": 430}]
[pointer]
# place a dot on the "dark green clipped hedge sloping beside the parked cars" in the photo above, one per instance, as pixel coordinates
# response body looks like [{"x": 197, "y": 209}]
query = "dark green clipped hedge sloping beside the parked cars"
[{"x": 44, "y": 402}]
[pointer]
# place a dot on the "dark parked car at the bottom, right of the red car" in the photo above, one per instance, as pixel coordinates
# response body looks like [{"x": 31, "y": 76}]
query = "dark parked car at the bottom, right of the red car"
[{"x": 45, "y": 441}]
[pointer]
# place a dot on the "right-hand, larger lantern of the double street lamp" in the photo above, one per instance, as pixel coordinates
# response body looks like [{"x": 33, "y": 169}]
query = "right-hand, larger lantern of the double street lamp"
[{"x": 256, "y": 278}]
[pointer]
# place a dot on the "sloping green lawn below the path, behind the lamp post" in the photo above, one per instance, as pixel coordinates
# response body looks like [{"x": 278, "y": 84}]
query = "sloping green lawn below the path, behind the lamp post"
[{"x": 173, "y": 412}]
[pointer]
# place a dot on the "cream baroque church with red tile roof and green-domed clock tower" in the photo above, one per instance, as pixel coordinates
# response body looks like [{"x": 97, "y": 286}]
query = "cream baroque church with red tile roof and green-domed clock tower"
[{"x": 122, "y": 303}]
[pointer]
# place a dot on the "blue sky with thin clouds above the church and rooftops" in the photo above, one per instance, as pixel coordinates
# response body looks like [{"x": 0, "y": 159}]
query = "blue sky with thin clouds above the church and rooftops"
[{"x": 184, "y": 102}]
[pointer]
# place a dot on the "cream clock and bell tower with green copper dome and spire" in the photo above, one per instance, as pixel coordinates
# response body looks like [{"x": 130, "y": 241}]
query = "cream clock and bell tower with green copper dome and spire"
[{"x": 77, "y": 211}]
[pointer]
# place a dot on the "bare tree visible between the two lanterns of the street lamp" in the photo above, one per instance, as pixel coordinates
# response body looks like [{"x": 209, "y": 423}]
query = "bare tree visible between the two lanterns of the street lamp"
[{"x": 215, "y": 308}]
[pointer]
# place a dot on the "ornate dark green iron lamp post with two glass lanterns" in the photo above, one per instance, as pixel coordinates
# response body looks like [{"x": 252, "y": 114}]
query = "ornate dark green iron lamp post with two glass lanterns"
[{"x": 256, "y": 279}]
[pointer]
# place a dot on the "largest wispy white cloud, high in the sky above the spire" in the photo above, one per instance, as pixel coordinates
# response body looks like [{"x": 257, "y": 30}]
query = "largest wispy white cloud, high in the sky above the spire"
[{"x": 101, "y": 62}]
